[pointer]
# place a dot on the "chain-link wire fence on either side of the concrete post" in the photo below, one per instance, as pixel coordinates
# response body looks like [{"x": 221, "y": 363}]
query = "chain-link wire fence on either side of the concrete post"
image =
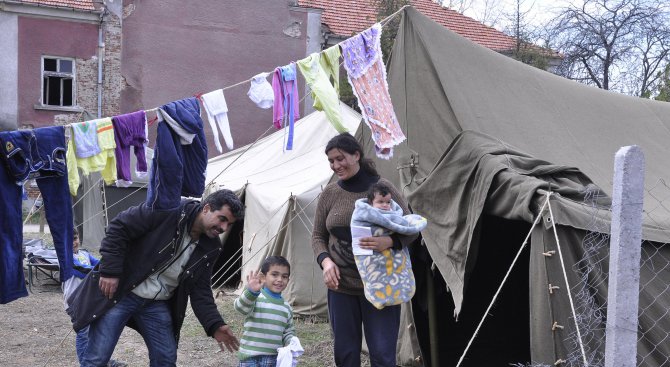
[{"x": 591, "y": 292}]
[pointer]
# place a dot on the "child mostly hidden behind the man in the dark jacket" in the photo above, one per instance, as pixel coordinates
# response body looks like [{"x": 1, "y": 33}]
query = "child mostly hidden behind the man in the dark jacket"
[{"x": 83, "y": 262}]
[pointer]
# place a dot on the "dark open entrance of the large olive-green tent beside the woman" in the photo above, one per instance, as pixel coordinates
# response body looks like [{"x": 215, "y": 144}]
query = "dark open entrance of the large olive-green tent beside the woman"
[{"x": 504, "y": 338}]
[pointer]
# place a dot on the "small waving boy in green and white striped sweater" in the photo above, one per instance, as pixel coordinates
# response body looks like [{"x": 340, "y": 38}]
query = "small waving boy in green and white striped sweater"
[{"x": 268, "y": 322}]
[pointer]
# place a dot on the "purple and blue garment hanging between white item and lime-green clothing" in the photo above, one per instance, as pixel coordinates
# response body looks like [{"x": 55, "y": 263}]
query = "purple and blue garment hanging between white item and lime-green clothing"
[{"x": 286, "y": 109}]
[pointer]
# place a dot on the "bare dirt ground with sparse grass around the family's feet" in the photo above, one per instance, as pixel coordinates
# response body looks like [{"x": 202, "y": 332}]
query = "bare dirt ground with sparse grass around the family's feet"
[{"x": 36, "y": 331}]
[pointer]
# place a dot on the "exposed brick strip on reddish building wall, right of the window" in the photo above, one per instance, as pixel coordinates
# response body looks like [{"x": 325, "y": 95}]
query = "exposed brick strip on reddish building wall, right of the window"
[{"x": 112, "y": 79}]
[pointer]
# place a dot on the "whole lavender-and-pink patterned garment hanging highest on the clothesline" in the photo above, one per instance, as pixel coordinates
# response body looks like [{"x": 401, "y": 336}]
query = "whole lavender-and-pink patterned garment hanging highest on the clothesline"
[{"x": 367, "y": 76}]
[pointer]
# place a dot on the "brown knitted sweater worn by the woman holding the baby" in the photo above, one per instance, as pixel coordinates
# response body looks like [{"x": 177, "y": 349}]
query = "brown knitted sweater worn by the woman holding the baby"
[{"x": 332, "y": 231}]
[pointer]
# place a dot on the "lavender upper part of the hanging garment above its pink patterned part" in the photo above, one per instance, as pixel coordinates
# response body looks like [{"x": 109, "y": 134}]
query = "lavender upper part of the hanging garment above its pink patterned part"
[{"x": 361, "y": 51}]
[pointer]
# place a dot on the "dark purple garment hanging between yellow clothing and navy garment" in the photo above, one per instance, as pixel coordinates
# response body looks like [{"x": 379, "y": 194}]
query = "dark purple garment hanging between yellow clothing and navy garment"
[{"x": 130, "y": 130}]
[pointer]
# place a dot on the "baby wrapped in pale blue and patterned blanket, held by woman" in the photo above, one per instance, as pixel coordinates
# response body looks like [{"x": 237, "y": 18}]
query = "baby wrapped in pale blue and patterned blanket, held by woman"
[{"x": 387, "y": 276}]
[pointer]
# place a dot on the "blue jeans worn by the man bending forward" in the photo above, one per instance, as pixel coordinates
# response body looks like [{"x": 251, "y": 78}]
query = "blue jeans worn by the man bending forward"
[{"x": 153, "y": 321}]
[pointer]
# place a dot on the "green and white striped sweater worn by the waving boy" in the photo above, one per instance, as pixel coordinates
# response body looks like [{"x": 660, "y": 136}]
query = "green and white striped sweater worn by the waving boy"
[{"x": 268, "y": 323}]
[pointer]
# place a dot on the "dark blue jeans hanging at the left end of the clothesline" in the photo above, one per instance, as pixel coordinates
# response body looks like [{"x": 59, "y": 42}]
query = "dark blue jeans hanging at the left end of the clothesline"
[{"x": 38, "y": 154}]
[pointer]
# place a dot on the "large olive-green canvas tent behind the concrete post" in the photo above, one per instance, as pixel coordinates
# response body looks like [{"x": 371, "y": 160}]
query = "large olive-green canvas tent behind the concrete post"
[{"x": 487, "y": 139}]
